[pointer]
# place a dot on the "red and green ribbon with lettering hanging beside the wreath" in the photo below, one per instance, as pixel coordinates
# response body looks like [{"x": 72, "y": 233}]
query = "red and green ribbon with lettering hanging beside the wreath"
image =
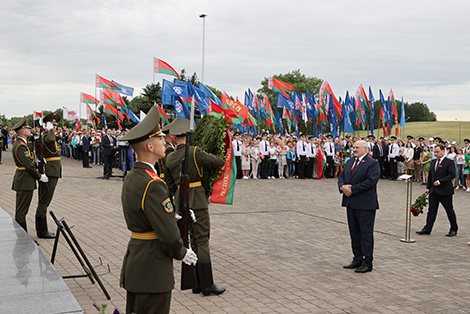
[{"x": 223, "y": 190}]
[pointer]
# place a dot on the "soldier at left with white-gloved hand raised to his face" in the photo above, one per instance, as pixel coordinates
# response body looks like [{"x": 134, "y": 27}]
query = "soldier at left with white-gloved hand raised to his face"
[{"x": 53, "y": 170}]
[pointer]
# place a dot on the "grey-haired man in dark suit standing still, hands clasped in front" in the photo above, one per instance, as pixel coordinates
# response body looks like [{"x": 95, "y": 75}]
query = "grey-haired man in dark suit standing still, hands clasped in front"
[{"x": 358, "y": 183}]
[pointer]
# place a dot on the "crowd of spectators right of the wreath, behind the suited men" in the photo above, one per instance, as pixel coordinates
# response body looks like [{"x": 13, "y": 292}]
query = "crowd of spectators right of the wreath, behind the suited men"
[{"x": 289, "y": 157}]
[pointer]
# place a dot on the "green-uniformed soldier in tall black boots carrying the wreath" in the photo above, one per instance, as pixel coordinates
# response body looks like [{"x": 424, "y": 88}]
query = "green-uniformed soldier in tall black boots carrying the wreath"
[{"x": 198, "y": 161}]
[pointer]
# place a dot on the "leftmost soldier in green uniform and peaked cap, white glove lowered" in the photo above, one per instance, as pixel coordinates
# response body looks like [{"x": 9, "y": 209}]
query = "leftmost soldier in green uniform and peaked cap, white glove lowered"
[{"x": 26, "y": 174}]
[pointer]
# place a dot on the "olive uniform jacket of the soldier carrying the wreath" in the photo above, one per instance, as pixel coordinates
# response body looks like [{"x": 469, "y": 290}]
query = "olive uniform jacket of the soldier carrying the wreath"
[{"x": 198, "y": 161}]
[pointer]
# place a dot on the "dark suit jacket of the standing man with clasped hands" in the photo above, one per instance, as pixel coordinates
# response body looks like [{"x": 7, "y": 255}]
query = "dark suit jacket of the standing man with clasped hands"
[{"x": 364, "y": 184}]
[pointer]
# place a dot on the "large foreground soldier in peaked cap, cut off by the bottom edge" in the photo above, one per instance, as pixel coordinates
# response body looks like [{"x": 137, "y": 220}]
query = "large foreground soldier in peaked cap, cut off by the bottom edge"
[{"x": 147, "y": 270}]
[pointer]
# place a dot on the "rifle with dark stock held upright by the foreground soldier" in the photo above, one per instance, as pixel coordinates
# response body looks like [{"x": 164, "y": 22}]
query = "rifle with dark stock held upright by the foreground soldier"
[{"x": 188, "y": 274}]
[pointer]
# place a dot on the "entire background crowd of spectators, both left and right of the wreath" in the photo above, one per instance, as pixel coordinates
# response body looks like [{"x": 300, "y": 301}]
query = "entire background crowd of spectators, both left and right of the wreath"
[{"x": 271, "y": 156}]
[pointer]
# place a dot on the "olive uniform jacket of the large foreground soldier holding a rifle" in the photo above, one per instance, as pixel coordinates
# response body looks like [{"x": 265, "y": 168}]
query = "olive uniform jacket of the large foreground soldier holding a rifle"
[{"x": 148, "y": 264}]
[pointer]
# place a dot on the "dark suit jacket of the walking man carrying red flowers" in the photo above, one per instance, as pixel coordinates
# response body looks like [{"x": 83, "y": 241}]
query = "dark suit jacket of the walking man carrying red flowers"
[{"x": 444, "y": 174}]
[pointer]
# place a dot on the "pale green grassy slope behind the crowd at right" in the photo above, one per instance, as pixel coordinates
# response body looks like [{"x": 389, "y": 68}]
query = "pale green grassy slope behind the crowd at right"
[{"x": 447, "y": 130}]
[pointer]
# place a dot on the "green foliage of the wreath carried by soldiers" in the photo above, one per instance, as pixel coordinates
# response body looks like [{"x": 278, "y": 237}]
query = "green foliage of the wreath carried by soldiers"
[{"x": 209, "y": 135}]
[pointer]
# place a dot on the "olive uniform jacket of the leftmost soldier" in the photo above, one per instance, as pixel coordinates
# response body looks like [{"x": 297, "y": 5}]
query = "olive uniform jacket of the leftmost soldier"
[{"x": 26, "y": 172}]
